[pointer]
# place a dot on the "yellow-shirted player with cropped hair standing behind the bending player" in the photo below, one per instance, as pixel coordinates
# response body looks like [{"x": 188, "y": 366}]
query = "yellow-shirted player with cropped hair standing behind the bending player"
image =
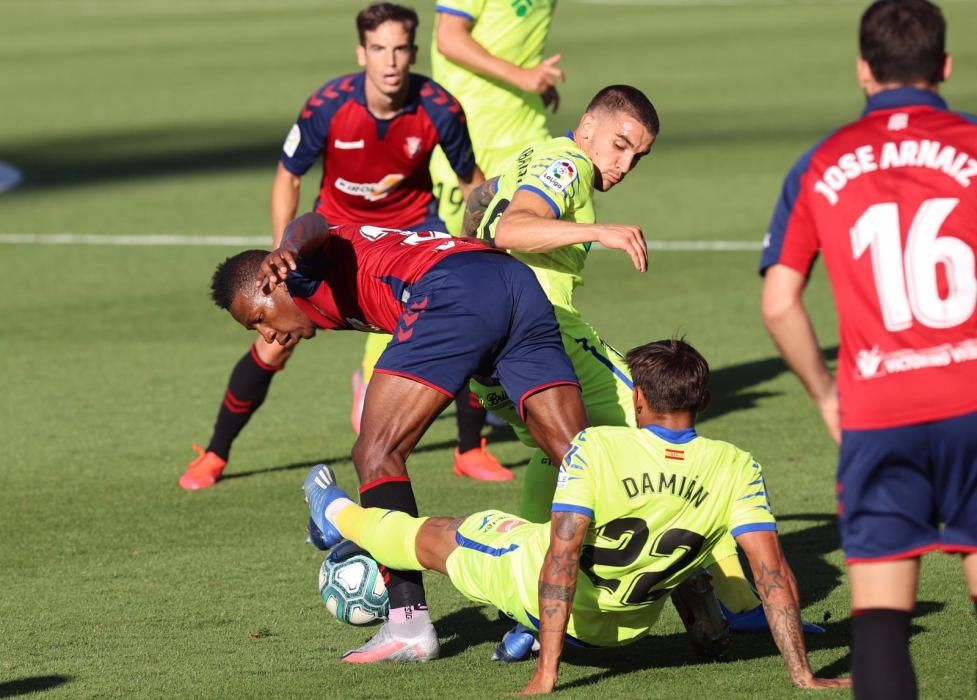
[{"x": 542, "y": 210}]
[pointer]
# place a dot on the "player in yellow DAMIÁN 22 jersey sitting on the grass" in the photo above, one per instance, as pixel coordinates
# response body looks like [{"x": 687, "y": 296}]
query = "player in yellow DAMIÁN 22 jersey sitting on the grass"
[{"x": 636, "y": 511}]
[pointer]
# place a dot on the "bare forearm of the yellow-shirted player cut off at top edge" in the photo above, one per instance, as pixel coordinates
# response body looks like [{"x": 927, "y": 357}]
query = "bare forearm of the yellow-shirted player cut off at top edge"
[{"x": 455, "y": 42}]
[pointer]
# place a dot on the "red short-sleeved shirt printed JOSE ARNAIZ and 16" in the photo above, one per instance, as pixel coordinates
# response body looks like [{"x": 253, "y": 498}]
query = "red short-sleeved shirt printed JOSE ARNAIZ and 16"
[{"x": 891, "y": 202}]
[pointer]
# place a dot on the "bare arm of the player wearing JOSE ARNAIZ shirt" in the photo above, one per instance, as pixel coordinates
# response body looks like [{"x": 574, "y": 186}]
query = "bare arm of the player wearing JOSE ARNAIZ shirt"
[{"x": 789, "y": 324}]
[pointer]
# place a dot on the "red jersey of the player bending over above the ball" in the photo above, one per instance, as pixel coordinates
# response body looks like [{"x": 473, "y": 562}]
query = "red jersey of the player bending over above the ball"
[{"x": 362, "y": 278}]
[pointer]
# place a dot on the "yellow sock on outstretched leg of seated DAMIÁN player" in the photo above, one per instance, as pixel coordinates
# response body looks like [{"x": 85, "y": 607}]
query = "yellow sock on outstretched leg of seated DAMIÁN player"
[{"x": 388, "y": 535}]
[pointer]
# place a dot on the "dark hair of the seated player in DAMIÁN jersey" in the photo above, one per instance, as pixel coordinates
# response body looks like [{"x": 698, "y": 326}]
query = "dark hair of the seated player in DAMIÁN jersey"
[{"x": 671, "y": 374}]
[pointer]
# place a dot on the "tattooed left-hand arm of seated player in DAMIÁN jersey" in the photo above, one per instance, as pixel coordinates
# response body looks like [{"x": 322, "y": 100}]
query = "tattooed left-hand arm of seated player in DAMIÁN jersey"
[{"x": 557, "y": 584}]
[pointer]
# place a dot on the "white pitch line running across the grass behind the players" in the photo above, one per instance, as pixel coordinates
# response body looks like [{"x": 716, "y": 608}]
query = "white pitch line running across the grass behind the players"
[{"x": 161, "y": 240}]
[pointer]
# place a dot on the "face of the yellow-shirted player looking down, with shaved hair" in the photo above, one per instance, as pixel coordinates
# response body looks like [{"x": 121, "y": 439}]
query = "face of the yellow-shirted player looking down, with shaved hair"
[{"x": 615, "y": 142}]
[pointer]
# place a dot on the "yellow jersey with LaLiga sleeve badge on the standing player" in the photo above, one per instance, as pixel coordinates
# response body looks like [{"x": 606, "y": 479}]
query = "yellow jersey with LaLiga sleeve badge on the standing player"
[{"x": 560, "y": 173}]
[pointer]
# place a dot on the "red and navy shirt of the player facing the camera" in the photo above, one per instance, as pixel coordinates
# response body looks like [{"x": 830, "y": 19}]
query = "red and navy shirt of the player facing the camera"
[{"x": 376, "y": 171}]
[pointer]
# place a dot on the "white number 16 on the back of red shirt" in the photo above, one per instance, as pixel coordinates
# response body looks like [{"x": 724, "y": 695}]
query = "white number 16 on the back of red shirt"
[{"x": 906, "y": 281}]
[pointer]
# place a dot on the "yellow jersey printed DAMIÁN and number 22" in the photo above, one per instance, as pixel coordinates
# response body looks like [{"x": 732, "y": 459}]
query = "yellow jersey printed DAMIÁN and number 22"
[{"x": 659, "y": 501}]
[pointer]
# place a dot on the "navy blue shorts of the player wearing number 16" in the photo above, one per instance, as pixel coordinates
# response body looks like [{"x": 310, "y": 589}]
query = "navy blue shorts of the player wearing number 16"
[{"x": 908, "y": 490}]
